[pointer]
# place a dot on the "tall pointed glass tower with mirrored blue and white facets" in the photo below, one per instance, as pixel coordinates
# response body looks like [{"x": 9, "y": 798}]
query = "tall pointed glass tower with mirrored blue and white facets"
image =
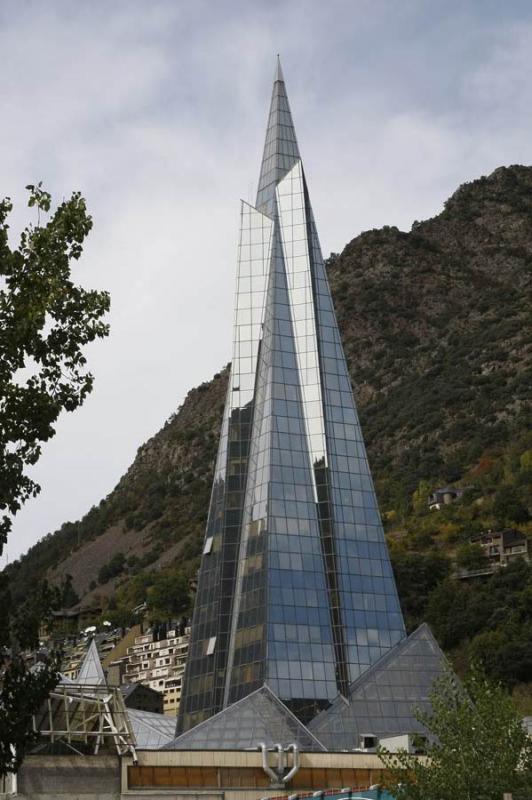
[{"x": 295, "y": 589}]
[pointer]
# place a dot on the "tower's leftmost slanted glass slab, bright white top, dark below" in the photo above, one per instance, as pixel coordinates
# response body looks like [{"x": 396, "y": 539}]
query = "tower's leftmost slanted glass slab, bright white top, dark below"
[{"x": 205, "y": 674}]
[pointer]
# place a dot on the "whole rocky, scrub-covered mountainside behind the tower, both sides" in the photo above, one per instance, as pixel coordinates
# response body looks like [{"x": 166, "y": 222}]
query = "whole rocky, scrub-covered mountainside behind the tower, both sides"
[{"x": 437, "y": 330}]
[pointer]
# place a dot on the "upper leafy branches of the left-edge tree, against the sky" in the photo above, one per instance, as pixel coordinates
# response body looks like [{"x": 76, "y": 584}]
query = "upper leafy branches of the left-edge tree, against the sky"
[{"x": 45, "y": 322}]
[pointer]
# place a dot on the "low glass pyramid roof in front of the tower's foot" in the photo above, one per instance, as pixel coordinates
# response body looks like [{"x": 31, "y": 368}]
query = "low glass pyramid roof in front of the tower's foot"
[{"x": 258, "y": 718}]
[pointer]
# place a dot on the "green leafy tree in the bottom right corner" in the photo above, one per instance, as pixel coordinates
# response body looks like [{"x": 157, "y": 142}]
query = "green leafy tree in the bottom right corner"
[{"x": 477, "y": 747}]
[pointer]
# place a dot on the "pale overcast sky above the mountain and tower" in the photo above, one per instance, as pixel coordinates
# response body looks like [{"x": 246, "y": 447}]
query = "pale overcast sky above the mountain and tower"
[{"x": 156, "y": 110}]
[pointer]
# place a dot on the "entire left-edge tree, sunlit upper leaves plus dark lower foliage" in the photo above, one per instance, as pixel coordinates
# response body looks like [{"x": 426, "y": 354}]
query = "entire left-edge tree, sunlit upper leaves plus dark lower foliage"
[{"x": 45, "y": 322}]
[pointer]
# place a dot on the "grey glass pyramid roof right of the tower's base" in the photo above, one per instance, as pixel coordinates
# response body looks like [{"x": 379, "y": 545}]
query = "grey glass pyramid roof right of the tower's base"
[{"x": 382, "y": 701}]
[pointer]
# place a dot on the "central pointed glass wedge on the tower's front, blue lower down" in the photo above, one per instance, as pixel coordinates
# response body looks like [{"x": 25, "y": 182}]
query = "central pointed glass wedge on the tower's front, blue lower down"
[{"x": 280, "y": 497}]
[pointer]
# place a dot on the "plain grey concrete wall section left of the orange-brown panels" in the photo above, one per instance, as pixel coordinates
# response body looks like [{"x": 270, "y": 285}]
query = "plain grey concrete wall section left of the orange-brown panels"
[{"x": 70, "y": 778}]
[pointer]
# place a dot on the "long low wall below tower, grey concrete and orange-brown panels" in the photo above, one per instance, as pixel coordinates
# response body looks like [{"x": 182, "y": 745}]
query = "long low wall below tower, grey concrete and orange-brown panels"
[{"x": 236, "y": 775}]
